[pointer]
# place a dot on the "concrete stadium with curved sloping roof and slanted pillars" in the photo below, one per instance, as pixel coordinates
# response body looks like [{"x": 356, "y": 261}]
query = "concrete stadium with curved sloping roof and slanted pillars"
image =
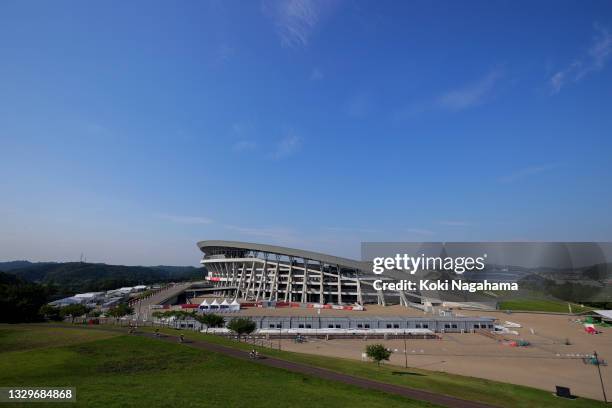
[{"x": 259, "y": 272}]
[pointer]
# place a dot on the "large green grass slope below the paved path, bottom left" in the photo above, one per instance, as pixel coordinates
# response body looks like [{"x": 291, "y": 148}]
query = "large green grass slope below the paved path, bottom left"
[{"x": 113, "y": 369}]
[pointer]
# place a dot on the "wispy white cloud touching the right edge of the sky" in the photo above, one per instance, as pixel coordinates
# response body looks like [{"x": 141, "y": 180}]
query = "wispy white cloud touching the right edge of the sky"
[{"x": 594, "y": 60}]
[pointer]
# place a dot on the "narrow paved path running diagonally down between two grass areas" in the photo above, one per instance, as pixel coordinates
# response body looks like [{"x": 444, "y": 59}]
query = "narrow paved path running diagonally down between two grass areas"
[{"x": 411, "y": 393}]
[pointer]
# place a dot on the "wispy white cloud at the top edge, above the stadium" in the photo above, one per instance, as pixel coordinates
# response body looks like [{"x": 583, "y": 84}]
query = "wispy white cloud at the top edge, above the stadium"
[{"x": 295, "y": 20}]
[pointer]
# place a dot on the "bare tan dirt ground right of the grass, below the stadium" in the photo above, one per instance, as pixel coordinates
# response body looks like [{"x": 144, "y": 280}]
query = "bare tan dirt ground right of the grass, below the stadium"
[{"x": 544, "y": 364}]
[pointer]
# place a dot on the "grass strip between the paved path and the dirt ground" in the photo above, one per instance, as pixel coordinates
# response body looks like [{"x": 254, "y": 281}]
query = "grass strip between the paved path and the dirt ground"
[{"x": 492, "y": 392}]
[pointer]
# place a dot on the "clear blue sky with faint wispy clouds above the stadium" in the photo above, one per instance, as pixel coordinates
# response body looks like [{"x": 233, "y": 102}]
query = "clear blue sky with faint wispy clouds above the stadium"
[{"x": 131, "y": 130}]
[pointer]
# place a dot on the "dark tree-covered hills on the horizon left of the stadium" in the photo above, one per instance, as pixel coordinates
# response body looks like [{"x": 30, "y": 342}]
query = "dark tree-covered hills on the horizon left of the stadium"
[{"x": 67, "y": 278}]
